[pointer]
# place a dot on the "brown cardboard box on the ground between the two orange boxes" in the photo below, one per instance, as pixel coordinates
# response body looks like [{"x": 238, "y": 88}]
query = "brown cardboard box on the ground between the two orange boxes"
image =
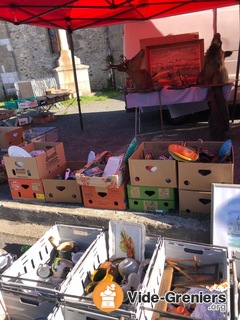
[{"x": 63, "y": 190}]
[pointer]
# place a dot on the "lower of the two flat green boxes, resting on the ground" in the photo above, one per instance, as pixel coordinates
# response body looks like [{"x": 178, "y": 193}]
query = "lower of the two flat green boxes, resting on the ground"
[{"x": 151, "y": 205}]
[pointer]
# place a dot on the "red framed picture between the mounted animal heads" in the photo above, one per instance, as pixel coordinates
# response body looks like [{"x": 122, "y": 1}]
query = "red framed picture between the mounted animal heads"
[{"x": 185, "y": 58}]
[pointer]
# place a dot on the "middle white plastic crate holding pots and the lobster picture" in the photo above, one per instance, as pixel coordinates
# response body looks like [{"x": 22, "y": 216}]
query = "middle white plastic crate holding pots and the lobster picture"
[{"x": 73, "y": 295}]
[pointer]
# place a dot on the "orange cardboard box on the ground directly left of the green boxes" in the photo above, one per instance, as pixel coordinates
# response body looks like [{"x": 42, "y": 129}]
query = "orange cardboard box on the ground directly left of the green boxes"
[{"x": 105, "y": 197}]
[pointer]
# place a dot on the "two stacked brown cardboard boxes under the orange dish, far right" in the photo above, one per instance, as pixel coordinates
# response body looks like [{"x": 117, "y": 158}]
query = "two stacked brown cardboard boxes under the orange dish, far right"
[{"x": 195, "y": 180}]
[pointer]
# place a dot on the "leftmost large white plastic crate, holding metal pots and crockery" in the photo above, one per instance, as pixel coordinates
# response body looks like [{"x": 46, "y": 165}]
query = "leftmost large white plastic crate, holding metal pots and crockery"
[{"x": 24, "y": 292}]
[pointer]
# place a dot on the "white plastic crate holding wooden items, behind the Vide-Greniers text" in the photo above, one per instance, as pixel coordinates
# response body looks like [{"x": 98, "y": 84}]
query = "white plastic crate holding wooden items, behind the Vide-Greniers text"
[{"x": 173, "y": 249}]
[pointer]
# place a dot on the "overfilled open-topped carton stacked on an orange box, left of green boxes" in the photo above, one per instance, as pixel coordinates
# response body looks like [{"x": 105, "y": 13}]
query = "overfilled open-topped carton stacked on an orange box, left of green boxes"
[{"x": 103, "y": 192}]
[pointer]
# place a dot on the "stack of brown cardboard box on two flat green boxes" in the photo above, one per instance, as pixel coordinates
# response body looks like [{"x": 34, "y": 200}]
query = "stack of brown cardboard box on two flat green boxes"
[{"x": 153, "y": 179}]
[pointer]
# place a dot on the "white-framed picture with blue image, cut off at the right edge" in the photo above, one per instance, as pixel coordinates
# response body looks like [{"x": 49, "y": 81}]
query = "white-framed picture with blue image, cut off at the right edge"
[{"x": 225, "y": 222}]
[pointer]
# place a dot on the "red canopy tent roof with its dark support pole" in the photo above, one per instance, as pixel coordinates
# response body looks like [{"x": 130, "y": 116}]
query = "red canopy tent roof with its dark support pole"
[{"x": 76, "y": 14}]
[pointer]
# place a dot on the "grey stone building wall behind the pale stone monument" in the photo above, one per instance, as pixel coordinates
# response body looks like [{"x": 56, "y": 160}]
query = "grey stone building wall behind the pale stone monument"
[{"x": 25, "y": 54}]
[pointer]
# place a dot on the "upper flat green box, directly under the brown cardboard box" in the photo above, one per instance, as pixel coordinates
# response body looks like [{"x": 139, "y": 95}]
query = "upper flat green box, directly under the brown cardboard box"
[{"x": 150, "y": 193}]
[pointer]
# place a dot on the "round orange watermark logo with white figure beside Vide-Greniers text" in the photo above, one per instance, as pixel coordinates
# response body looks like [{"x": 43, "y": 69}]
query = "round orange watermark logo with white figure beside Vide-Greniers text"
[{"x": 107, "y": 296}]
